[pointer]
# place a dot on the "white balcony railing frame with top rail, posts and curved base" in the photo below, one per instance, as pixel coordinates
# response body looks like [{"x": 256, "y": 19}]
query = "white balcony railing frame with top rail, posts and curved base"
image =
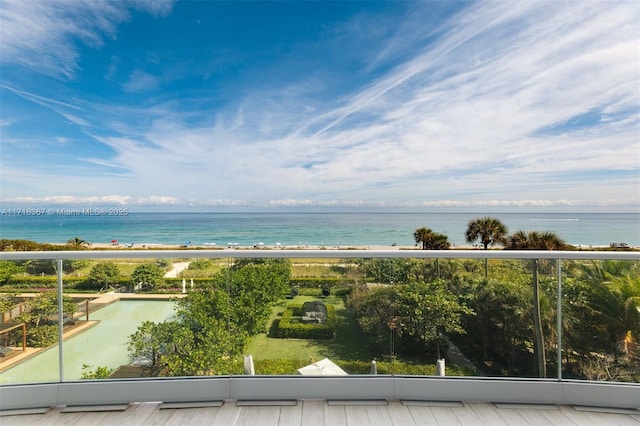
[{"x": 555, "y": 390}]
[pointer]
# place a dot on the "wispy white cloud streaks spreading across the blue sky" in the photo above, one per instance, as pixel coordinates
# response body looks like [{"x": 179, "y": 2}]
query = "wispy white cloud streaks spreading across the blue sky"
[{"x": 505, "y": 104}]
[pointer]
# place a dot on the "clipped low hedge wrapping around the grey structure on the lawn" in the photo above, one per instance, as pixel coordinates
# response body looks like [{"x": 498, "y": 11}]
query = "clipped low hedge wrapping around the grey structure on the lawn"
[{"x": 288, "y": 328}]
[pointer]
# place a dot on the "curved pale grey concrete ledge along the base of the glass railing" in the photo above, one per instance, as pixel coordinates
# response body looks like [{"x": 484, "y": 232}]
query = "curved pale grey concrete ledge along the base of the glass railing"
[{"x": 265, "y": 388}]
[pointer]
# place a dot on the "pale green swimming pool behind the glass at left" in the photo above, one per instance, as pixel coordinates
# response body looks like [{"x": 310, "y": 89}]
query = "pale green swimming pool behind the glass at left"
[{"x": 102, "y": 345}]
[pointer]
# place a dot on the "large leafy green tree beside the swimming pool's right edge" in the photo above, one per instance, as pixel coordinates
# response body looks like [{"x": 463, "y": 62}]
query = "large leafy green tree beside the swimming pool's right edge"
[{"x": 212, "y": 325}]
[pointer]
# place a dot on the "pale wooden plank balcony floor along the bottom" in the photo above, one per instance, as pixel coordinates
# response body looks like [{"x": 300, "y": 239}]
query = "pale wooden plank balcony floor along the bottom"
[{"x": 331, "y": 413}]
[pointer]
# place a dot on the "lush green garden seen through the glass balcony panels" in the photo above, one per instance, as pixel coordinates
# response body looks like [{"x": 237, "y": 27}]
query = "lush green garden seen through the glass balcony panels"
[{"x": 403, "y": 313}]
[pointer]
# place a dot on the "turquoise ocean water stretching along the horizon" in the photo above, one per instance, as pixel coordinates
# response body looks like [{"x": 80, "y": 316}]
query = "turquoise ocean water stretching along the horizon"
[{"x": 313, "y": 229}]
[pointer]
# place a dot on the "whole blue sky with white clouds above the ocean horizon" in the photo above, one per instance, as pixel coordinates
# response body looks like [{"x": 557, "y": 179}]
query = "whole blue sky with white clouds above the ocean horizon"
[{"x": 262, "y": 104}]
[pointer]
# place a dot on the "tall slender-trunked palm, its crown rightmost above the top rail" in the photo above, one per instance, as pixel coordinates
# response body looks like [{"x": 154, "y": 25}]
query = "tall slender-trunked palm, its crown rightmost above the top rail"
[{"x": 535, "y": 240}]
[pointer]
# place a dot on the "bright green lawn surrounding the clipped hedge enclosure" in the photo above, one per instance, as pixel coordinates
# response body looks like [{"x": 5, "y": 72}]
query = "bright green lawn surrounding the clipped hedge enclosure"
[{"x": 348, "y": 343}]
